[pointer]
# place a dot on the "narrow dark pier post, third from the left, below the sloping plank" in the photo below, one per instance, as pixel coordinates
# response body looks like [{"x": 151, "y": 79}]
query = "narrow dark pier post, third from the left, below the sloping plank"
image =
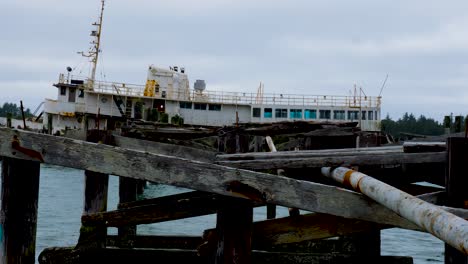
[{"x": 127, "y": 193}]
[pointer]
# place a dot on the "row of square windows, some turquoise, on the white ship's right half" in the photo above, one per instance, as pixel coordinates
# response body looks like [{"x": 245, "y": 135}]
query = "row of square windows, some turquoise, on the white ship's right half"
[{"x": 314, "y": 114}]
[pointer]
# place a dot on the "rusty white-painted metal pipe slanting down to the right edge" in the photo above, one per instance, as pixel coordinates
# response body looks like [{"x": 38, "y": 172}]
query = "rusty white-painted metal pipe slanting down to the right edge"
[{"x": 446, "y": 226}]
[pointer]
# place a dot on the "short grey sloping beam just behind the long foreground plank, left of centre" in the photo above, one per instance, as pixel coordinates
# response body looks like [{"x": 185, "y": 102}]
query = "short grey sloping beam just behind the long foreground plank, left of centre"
[{"x": 165, "y": 149}]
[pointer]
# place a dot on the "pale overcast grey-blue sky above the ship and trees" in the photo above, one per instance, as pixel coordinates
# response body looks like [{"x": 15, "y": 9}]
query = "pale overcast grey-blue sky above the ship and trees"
[{"x": 295, "y": 47}]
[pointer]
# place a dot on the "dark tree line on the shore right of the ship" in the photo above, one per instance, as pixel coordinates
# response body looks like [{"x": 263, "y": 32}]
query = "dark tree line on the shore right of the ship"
[{"x": 423, "y": 126}]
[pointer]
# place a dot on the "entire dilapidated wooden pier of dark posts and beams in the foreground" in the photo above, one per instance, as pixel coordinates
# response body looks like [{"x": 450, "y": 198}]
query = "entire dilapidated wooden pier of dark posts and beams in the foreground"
[{"x": 338, "y": 223}]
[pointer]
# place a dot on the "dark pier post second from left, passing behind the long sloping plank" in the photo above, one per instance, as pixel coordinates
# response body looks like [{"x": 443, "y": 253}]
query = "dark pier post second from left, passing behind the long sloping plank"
[{"x": 95, "y": 200}]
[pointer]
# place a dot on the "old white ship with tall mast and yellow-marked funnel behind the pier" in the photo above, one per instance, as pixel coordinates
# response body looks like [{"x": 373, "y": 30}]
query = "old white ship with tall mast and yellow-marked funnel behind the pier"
[{"x": 83, "y": 102}]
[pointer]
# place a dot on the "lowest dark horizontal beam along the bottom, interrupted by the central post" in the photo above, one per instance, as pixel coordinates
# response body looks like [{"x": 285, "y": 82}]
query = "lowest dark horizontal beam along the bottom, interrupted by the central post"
[{"x": 143, "y": 256}]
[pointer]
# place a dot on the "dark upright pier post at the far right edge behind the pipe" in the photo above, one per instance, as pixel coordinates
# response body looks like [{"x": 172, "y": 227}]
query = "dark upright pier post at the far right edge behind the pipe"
[{"x": 456, "y": 186}]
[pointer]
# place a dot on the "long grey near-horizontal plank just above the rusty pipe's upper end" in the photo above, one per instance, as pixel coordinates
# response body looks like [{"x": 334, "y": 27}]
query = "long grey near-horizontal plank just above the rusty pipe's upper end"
[{"x": 333, "y": 161}]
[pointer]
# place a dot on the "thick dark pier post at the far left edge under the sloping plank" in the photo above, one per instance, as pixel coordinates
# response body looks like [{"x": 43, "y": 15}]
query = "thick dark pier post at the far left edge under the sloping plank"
[{"x": 18, "y": 222}]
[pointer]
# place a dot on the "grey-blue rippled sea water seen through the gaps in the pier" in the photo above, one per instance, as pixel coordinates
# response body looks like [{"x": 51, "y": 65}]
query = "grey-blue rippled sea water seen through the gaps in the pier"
[{"x": 61, "y": 203}]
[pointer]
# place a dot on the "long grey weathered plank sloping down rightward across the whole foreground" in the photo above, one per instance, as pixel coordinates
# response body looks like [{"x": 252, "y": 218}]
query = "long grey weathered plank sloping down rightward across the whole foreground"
[{"x": 200, "y": 176}]
